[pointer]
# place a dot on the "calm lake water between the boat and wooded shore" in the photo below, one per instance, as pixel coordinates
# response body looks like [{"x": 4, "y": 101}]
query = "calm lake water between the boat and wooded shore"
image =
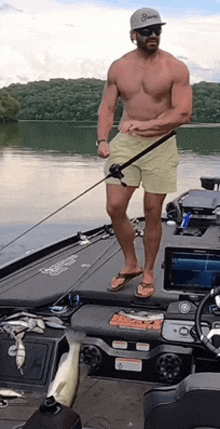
[{"x": 44, "y": 165}]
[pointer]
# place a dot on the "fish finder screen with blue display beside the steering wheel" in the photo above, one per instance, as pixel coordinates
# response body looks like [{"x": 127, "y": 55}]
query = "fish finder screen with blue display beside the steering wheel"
[{"x": 191, "y": 271}]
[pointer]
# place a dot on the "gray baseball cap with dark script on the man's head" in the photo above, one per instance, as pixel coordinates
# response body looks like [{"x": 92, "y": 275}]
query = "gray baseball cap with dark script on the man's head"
[{"x": 145, "y": 17}]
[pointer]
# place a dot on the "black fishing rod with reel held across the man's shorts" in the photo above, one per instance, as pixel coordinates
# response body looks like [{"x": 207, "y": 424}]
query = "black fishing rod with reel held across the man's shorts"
[{"x": 114, "y": 171}]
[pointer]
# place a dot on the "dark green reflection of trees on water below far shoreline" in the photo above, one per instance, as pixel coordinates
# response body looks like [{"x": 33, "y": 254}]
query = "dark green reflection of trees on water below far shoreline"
[{"x": 74, "y": 138}]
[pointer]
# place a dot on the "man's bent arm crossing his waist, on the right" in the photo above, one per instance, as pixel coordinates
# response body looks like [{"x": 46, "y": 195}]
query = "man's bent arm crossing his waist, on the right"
[{"x": 180, "y": 112}]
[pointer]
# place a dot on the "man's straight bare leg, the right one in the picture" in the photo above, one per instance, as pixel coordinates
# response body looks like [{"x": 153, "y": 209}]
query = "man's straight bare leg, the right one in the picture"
[{"x": 153, "y": 233}]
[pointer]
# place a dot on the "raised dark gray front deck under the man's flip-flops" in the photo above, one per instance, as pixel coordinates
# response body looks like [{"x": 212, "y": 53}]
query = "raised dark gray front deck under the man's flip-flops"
[{"x": 83, "y": 267}]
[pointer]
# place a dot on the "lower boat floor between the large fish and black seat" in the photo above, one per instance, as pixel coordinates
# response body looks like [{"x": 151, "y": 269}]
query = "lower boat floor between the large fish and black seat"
[{"x": 110, "y": 404}]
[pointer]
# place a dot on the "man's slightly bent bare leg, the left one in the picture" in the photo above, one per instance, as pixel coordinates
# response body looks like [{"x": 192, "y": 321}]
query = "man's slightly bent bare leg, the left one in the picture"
[{"x": 118, "y": 198}]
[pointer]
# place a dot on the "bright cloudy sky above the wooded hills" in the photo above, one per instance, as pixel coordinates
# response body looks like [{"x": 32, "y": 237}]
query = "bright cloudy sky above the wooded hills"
[{"x": 46, "y": 39}]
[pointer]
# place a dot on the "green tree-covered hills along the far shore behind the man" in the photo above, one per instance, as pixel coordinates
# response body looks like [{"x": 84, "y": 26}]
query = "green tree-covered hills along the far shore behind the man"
[{"x": 79, "y": 100}]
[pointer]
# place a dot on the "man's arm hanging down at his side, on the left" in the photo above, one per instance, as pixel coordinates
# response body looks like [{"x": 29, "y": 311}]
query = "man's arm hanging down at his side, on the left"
[{"x": 107, "y": 110}]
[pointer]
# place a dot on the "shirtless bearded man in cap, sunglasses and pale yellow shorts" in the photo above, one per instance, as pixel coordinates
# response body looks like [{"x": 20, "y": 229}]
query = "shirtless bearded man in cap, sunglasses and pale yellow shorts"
[{"x": 157, "y": 97}]
